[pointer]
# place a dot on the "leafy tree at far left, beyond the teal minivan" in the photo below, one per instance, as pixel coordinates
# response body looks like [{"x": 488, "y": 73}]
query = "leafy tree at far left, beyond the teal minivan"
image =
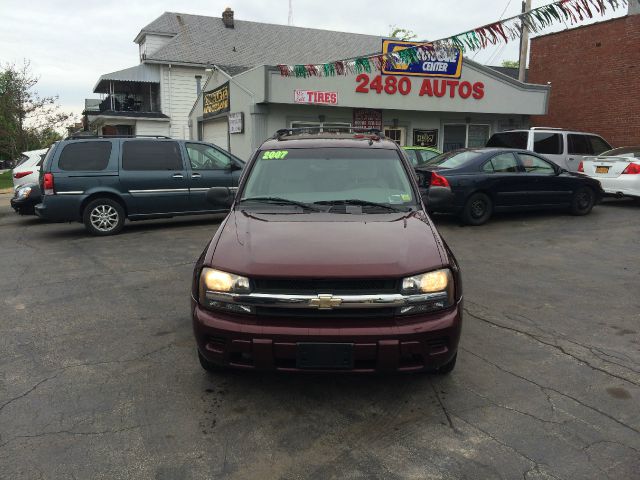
[{"x": 27, "y": 120}]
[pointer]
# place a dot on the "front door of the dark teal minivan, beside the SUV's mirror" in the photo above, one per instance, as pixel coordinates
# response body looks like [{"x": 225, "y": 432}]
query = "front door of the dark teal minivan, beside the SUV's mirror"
[{"x": 210, "y": 167}]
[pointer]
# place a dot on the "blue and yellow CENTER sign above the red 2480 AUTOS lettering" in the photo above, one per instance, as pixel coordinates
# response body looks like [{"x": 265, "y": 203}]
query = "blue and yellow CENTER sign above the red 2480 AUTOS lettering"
[{"x": 432, "y": 62}]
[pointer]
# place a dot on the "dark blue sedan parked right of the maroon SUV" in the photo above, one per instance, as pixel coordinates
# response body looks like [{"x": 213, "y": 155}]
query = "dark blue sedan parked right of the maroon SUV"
[{"x": 474, "y": 183}]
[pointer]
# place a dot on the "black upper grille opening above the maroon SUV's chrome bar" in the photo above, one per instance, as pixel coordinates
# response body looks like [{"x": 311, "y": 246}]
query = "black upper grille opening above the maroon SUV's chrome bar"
[{"x": 305, "y": 286}]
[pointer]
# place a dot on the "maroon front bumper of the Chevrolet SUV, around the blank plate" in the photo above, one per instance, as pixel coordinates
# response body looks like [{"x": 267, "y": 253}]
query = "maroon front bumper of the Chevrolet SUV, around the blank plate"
[{"x": 394, "y": 344}]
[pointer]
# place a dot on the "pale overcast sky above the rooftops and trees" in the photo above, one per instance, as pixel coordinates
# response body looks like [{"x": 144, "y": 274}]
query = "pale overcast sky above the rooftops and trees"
[{"x": 71, "y": 43}]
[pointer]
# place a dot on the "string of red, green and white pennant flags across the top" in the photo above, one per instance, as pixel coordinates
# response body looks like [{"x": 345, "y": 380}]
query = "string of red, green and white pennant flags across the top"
[{"x": 502, "y": 31}]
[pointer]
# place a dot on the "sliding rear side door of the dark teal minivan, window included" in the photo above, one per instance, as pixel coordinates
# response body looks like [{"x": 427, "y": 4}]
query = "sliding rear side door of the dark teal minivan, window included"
[{"x": 155, "y": 176}]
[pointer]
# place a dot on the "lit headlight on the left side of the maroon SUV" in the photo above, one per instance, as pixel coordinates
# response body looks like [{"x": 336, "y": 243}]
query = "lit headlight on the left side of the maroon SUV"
[{"x": 214, "y": 281}]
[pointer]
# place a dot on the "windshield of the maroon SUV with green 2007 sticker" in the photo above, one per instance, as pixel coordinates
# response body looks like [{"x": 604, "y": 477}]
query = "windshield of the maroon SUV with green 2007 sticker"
[{"x": 330, "y": 175}]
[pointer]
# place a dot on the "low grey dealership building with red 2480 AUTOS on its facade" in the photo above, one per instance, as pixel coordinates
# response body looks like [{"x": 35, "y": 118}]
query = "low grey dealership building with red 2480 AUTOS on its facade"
[{"x": 239, "y": 112}]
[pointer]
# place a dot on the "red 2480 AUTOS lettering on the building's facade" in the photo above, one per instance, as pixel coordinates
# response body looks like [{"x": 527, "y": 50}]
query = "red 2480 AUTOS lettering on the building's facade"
[{"x": 429, "y": 87}]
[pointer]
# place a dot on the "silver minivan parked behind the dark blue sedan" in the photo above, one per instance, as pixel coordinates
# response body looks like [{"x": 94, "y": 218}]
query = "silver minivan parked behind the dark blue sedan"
[{"x": 565, "y": 148}]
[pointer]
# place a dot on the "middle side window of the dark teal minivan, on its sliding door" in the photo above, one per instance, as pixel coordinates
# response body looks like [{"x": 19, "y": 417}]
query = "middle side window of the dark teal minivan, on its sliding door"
[{"x": 151, "y": 155}]
